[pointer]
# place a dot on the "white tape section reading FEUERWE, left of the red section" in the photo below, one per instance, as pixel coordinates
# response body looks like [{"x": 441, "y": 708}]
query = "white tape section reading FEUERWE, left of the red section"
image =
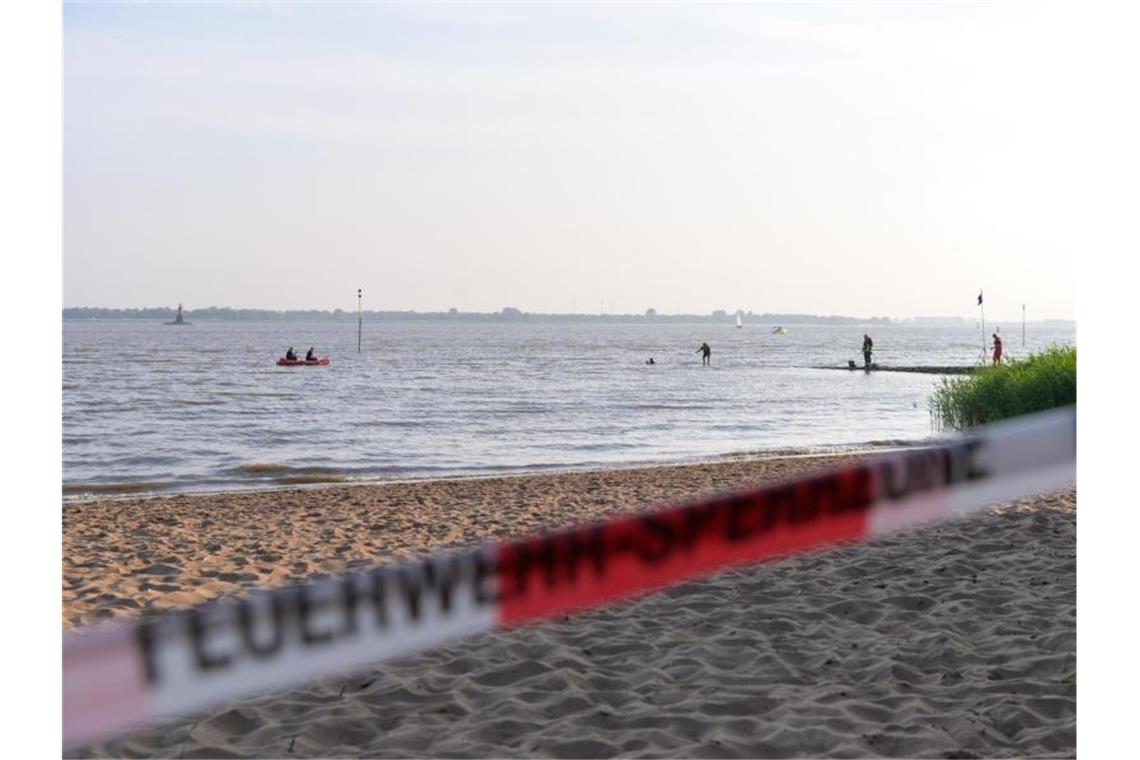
[{"x": 276, "y": 640}]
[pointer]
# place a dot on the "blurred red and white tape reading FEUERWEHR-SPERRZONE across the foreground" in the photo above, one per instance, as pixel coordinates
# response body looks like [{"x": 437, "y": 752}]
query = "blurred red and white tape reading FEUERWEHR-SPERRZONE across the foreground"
[{"x": 129, "y": 676}]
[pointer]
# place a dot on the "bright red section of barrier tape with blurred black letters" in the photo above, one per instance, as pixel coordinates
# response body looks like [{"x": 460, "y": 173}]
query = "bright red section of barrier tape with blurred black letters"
[{"x": 593, "y": 566}]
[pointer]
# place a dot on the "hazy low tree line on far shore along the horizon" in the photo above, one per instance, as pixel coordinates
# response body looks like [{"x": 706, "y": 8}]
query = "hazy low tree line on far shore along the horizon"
[{"x": 508, "y": 315}]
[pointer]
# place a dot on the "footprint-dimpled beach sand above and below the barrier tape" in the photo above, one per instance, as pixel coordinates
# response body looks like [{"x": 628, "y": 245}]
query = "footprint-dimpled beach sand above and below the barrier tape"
[{"x": 959, "y": 641}]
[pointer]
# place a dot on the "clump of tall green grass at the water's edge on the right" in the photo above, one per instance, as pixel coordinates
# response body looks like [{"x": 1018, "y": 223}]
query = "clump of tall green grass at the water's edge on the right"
[{"x": 1044, "y": 381}]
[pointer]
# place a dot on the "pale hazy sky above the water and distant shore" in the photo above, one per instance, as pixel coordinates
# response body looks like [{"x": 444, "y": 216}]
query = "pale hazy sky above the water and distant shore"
[{"x": 848, "y": 159}]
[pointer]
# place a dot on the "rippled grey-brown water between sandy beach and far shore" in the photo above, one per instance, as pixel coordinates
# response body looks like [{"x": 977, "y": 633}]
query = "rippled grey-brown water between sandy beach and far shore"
[{"x": 156, "y": 408}]
